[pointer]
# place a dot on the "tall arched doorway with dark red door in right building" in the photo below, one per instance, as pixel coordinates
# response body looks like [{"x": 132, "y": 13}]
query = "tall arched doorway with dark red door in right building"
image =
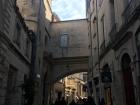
[{"x": 128, "y": 80}]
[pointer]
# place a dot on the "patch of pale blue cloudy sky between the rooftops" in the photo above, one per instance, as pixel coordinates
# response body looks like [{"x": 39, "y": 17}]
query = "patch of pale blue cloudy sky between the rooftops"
[{"x": 69, "y": 9}]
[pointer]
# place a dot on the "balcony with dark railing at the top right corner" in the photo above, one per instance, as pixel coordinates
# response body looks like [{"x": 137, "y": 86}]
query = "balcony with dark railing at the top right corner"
[{"x": 130, "y": 10}]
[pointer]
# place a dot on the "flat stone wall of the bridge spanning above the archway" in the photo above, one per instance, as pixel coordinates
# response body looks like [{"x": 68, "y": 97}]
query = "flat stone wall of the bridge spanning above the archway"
[{"x": 77, "y": 39}]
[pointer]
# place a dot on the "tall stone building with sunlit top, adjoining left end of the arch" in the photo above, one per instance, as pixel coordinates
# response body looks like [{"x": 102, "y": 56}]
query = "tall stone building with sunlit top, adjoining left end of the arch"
[{"x": 38, "y": 15}]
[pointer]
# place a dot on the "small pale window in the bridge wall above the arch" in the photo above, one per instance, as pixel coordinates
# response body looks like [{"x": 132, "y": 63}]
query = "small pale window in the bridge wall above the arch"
[{"x": 64, "y": 40}]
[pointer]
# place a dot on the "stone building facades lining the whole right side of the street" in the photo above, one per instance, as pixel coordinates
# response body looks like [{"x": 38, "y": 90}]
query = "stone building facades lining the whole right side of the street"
[{"x": 114, "y": 73}]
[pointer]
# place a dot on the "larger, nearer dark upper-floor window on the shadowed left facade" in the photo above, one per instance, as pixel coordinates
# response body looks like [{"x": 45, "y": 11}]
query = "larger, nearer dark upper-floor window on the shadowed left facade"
[{"x": 17, "y": 35}]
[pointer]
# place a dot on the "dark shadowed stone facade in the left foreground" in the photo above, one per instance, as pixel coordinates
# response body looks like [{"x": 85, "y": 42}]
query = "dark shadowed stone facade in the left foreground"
[{"x": 15, "y": 53}]
